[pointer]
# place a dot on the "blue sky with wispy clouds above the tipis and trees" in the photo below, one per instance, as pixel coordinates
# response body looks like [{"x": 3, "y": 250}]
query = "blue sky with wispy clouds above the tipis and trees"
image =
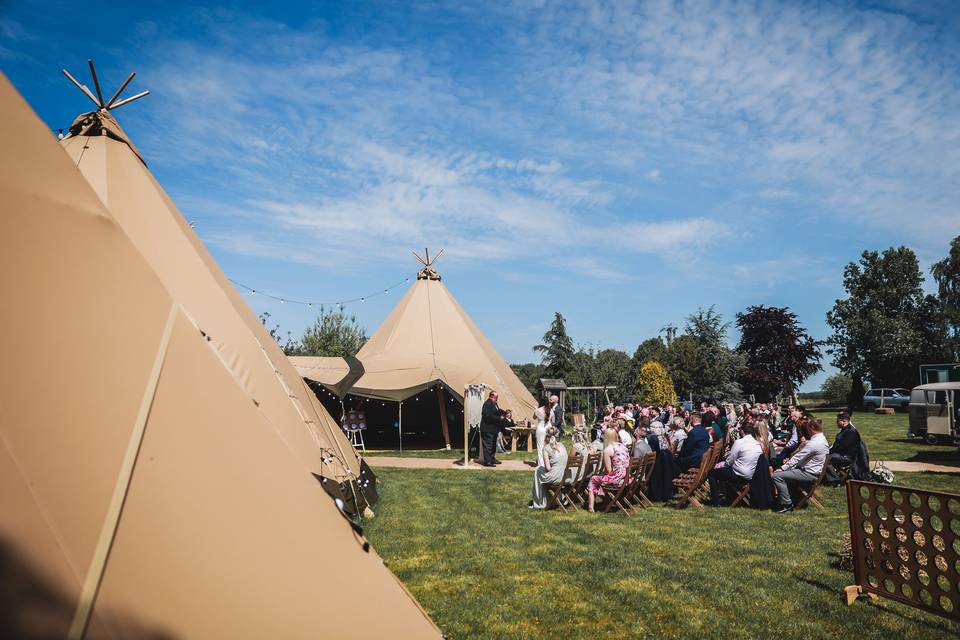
[{"x": 621, "y": 163}]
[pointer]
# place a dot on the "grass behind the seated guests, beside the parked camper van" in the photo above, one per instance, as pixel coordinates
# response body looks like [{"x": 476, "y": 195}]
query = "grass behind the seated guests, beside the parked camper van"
[{"x": 886, "y": 438}]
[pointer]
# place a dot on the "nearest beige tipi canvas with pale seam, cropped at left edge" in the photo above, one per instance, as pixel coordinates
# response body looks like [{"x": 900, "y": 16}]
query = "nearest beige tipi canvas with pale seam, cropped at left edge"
[{"x": 143, "y": 493}]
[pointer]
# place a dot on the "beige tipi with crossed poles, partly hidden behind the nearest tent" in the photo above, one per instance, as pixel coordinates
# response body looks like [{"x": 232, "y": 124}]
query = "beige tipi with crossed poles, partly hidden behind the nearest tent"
[{"x": 116, "y": 171}]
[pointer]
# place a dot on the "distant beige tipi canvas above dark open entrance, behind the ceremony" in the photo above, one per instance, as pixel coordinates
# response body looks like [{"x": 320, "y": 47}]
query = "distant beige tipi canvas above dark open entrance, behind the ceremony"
[{"x": 427, "y": 339}]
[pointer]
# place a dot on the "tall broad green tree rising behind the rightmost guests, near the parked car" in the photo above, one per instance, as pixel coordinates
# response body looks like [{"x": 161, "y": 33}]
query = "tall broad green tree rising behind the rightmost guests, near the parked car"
[{"x": 886, "y": 326}]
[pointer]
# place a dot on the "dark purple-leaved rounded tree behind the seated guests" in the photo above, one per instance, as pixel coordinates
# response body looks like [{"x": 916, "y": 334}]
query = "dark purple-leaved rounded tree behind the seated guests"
[{"x": 778, "y": 352}]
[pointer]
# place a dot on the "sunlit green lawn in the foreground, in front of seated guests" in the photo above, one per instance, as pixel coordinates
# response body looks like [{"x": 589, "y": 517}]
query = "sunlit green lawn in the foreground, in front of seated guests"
[{"x": 486, "y": 567}]
